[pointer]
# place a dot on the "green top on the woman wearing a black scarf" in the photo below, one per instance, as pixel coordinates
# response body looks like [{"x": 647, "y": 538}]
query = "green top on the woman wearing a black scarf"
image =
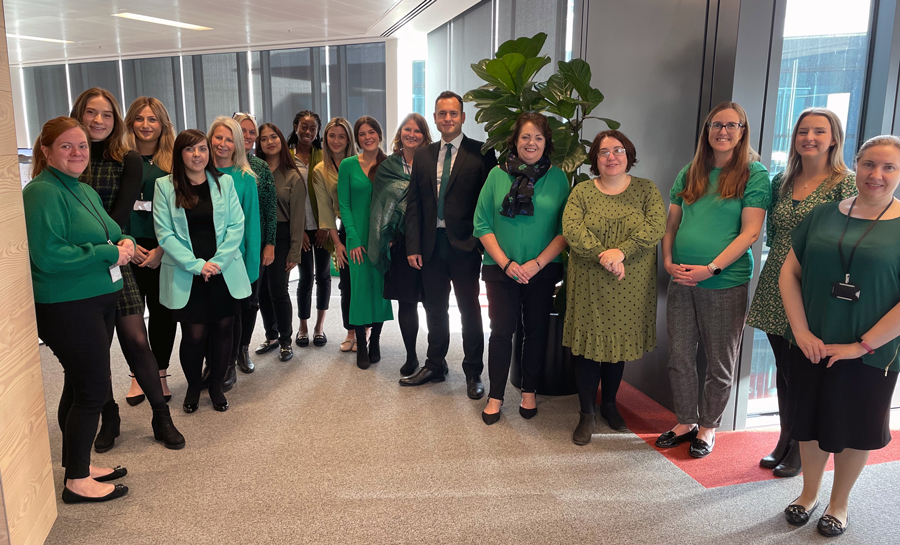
[{"x": 524, "y": 237}]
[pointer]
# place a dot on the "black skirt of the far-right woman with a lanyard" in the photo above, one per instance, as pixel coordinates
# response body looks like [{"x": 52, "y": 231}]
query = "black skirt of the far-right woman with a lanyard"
[{"x": 843, "y": 406}]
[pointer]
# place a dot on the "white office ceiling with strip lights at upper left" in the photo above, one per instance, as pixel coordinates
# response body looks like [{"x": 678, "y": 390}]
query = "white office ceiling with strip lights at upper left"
[{"x": 237, "y": 24}]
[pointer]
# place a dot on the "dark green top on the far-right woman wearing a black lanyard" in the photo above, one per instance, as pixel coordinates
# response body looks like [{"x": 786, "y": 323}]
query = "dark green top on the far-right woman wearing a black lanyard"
[{"x": 875, "y": 269}]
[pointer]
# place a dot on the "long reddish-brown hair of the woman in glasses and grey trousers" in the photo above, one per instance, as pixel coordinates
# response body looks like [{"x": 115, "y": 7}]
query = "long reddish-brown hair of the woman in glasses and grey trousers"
[{"x": 735, "y": 174}]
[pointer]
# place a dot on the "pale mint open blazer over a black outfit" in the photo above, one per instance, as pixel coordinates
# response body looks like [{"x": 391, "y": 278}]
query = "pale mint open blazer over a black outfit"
[{"x": 179, "y": 265}]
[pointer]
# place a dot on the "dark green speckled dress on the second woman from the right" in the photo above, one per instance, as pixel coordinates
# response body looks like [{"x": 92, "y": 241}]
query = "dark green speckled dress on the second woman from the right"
[{"x": 767, "y": 310}]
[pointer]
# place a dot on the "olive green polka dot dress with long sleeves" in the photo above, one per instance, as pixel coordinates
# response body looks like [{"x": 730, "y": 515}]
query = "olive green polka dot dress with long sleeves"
[{"x": 607, "y": 319}]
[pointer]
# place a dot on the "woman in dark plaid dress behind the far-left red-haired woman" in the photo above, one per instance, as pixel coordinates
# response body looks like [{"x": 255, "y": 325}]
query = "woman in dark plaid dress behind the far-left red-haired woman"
[{"x": 115, "y": 173}]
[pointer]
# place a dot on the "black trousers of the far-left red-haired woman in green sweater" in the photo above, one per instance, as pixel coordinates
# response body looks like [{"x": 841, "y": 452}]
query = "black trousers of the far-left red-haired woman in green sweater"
[{"x": 79, "y": 334}]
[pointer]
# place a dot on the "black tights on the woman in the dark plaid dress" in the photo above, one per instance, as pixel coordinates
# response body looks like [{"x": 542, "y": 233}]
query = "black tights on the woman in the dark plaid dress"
[{"x": 136, "y": 348}]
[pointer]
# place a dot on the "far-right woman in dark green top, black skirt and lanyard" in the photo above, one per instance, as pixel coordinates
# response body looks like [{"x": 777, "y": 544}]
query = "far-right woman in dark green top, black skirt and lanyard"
[{"x": 840, "y": 284}]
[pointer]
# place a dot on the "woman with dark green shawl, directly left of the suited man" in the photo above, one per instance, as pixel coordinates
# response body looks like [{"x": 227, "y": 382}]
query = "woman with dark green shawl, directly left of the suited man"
[{"x": 387, "y": 240}]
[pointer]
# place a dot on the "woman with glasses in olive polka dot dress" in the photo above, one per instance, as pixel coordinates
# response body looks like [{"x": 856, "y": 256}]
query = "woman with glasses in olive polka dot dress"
[{"x": 612, "y": 224}]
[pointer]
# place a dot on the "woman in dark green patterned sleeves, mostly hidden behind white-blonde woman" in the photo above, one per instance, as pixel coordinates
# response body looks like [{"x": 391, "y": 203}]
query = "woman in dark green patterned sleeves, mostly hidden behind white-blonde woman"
[{"x": 265, "y": 188}]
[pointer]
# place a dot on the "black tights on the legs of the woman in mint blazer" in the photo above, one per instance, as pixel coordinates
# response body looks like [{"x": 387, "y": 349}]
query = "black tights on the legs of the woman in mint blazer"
[{"x": 212, "y": 341}]
